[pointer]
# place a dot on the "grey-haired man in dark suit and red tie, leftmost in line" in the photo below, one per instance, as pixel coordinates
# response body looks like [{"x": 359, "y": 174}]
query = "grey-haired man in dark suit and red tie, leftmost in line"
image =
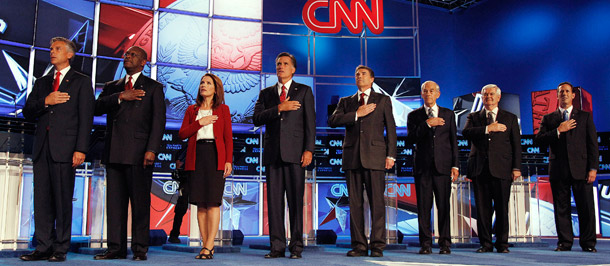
[{"x": 61, "y": 103}]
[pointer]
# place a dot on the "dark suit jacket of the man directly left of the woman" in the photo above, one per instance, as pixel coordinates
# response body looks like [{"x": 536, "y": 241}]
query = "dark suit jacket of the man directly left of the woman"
[{"x": 132, "y": 127}]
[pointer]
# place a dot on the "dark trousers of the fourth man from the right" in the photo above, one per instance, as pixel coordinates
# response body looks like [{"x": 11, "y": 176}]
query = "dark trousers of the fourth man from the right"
[{"x": 373, "y": 181}]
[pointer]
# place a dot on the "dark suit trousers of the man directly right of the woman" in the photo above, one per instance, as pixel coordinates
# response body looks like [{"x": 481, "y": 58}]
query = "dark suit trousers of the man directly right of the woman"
[{"x": 289, "y": 179}]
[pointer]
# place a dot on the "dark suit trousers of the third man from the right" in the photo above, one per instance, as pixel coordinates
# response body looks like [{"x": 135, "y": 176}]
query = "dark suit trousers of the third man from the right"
[{"x": 427, "y": 182}]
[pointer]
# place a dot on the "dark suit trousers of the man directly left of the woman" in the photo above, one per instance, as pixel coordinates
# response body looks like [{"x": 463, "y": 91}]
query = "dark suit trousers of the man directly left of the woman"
[{"x": 127, "y": 183}]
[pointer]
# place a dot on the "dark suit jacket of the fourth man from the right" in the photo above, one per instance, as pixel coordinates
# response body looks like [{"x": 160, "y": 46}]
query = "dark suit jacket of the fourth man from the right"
[{"x": 364, "y": 139}]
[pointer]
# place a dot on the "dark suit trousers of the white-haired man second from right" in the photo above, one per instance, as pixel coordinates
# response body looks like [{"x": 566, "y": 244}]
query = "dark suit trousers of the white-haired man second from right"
[{"x": 492, "y": 194}]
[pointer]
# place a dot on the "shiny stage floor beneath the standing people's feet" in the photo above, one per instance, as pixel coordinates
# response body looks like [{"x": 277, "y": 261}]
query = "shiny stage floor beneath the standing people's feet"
[{"x": 333, "y": 255}]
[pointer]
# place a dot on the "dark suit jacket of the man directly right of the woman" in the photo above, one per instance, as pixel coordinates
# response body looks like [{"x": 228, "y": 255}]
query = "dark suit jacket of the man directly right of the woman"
[{"x": 289, "y": 134}]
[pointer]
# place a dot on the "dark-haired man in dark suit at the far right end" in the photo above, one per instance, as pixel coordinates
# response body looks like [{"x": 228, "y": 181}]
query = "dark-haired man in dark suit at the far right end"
[{"x": 573, "y": 163}]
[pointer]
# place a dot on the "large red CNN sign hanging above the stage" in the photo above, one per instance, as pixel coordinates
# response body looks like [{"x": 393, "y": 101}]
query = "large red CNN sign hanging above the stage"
[{"x": 338, "y": 11}]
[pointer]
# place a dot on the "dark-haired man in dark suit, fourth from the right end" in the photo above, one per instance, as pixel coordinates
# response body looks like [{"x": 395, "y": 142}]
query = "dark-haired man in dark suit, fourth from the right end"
[{"x": 366, "y": 156}]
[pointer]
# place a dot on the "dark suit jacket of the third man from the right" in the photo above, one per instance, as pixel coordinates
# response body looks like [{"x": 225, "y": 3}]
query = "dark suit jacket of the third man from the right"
[{"x": 439, "y": 143}]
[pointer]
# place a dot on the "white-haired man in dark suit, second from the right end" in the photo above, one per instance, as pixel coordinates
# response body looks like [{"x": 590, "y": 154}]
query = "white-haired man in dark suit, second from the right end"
[{"x": 494, "y": 162}]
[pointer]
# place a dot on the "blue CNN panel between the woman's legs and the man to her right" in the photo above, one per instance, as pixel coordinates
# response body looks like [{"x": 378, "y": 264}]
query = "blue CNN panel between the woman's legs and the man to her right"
[{"x": 245, "y": 213}]
